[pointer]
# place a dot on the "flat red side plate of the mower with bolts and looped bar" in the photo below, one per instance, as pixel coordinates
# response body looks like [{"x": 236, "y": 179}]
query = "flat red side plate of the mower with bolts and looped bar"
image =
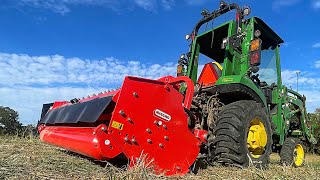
[{"x": 180, "y": 149}]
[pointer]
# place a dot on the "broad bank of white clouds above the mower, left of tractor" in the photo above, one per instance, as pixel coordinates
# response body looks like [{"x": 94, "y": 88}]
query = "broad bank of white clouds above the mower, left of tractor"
[{"x": 27, "y": 82}]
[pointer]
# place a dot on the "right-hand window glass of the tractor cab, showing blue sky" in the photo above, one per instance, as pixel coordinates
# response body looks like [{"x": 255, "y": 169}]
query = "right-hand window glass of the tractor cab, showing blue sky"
[{"x": 268, "y": 66}]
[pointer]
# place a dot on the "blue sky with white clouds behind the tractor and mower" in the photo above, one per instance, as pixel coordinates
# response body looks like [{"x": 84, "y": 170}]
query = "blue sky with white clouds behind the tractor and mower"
[{"x": 60, "y": 49}]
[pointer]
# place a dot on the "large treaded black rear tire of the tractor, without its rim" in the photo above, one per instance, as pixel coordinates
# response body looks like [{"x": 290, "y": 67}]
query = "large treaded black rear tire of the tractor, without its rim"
[{"x": 231, "y": 134}]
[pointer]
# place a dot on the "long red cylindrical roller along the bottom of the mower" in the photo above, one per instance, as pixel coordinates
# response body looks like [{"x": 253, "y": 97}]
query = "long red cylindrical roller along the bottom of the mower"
[{"x": 83, "y": 140}]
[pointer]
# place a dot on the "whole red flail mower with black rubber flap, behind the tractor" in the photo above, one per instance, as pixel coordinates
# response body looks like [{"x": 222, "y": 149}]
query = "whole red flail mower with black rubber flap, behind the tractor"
[{"x": 143, "y": 117}]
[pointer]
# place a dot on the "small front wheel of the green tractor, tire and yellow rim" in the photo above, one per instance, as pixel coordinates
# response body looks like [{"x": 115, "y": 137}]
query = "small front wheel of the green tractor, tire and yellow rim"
[{"x": 292, "y": 152}]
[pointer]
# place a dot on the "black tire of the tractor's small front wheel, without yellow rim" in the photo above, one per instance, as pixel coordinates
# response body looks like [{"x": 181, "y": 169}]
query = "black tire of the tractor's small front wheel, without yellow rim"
[{"x": 288, "y": 153}]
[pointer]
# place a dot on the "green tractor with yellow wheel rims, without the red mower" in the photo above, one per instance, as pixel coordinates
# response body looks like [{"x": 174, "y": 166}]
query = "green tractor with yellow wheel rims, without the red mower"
[{"x": 239, "y": 97}]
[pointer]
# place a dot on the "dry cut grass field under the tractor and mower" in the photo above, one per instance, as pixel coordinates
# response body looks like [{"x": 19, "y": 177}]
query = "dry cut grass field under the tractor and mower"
[{"x": 31, "y": 159}]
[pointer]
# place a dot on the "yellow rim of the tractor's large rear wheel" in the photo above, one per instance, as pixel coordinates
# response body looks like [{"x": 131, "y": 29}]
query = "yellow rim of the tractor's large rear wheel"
[{"x": 257, "y": 138}]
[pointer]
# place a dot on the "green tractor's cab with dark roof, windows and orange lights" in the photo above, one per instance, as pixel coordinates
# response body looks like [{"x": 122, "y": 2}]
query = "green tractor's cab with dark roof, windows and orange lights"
[{"x": 254, "y": 49}]
